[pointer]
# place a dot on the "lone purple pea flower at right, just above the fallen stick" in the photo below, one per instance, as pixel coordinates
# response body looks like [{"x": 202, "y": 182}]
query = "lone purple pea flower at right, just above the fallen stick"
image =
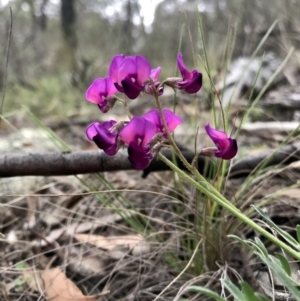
[{"x": 227, "y": 147}]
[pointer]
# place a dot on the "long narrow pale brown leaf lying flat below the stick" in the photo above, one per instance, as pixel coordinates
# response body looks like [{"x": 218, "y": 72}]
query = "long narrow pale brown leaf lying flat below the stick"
[{"x": 110, "y": 242}]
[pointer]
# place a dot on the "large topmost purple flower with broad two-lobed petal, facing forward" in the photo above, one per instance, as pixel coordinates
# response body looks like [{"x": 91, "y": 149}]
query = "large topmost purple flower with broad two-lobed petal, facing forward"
[{"x": 129, "y": 74}]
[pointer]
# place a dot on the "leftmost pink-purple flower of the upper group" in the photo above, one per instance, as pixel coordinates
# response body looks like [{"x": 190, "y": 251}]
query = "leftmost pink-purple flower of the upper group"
[{"x": 101, "y": 92}]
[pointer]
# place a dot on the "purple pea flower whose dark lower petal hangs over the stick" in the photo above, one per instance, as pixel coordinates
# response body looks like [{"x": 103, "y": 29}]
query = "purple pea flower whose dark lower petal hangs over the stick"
[{"x": 137, "y": 134}]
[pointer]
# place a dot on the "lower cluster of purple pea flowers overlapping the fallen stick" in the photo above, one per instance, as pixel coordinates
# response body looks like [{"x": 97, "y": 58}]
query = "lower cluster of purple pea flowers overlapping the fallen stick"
[{"x": 141, "y": 134}]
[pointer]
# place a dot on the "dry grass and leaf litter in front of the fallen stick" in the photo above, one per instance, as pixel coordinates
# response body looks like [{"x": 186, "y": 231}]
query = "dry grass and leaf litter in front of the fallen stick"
[{"x": 76, "y": 246}]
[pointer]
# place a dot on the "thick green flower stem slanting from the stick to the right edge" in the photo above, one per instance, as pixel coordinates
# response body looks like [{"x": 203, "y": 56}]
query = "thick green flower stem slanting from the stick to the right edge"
[{"x": 212, "y": 193}]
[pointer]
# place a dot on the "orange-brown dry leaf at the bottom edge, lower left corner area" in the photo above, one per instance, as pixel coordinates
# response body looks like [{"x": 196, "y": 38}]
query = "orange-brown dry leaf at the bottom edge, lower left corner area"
[{"x": 59, "y": 288}]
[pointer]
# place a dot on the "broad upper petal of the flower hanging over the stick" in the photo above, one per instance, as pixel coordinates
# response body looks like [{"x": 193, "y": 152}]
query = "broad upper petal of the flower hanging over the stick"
[{"x": 138, "y": 130}]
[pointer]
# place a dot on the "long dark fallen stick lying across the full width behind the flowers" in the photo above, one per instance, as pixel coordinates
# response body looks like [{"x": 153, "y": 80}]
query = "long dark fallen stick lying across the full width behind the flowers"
[{"x": 83, "y": 162}]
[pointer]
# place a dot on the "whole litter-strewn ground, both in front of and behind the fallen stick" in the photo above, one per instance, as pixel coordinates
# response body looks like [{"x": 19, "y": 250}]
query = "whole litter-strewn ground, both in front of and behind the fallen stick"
[{"x": 86, "y": 229}]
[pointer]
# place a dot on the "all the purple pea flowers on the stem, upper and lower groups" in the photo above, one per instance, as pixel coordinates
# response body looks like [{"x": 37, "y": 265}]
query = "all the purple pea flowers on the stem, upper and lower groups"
[{"x": 144, "y": 135}]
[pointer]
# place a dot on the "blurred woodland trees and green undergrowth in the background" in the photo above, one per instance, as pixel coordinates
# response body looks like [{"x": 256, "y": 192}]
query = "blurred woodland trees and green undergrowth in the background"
[{"x": 49, "y": 71}]
